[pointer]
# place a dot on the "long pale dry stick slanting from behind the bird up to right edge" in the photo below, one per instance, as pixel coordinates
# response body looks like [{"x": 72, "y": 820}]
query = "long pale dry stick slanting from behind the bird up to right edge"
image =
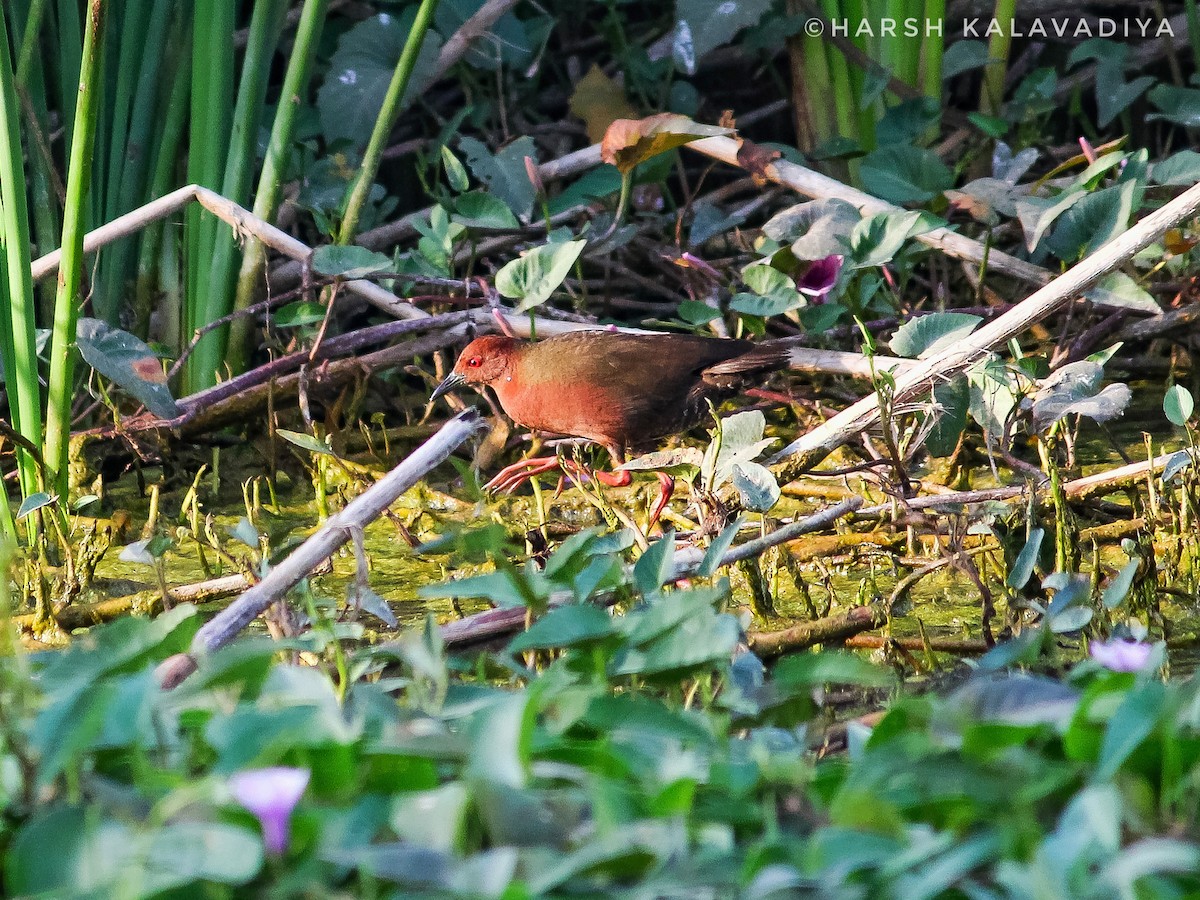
[{"x": 819, "y": 443}]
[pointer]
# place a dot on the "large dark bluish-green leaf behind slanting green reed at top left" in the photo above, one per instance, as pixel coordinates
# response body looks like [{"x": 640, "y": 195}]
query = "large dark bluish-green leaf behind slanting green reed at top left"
[{"x": 361, "y": 73}]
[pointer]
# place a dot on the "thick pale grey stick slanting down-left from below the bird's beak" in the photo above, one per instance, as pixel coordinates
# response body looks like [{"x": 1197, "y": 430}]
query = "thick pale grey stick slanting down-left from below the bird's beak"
[{"x": 358, "y": 513}]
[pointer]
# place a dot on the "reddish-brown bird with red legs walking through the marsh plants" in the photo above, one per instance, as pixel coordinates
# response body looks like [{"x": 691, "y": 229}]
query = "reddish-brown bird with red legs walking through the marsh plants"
[{"x": 622, "y": 391}]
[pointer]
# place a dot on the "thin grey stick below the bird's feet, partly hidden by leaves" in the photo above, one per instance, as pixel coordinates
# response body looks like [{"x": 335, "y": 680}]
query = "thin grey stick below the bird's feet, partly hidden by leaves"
[{"x": 493, "y": 623}]
